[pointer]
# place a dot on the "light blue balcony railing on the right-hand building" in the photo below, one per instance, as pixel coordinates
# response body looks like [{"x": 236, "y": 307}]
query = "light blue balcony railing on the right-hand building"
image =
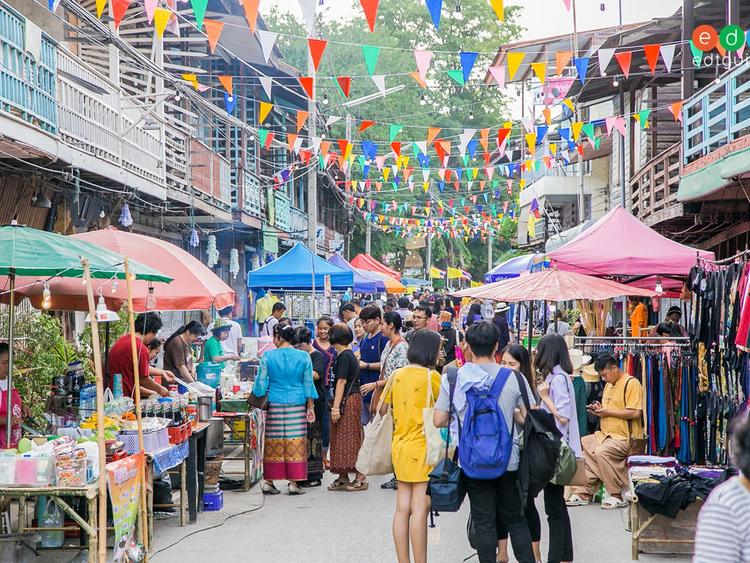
[{"x": 718, "y": 114}]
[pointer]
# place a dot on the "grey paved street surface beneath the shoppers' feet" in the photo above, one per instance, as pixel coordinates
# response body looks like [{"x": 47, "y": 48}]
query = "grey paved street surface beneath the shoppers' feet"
[{"x": 354, "y": 528}]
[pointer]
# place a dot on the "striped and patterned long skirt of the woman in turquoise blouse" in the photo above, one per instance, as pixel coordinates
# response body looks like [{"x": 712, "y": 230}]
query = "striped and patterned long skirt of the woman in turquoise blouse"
[{"x": 285, "y": 448}]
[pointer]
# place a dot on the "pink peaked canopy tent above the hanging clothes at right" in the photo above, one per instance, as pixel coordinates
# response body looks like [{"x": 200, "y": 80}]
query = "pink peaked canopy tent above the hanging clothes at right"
[{"x": 620, "y": 245}]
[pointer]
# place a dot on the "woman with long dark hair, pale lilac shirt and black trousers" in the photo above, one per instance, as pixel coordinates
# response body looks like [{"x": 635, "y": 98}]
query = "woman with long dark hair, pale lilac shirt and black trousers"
[{"x": 558, "y": 398}]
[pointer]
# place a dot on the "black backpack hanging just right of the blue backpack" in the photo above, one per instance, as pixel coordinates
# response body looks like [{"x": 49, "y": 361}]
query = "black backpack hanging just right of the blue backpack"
[{"x": 540, "y": 449}]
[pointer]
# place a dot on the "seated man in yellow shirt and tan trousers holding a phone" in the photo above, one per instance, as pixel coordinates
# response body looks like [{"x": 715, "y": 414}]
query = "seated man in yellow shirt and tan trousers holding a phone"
[{"x": 606, "y": 452}]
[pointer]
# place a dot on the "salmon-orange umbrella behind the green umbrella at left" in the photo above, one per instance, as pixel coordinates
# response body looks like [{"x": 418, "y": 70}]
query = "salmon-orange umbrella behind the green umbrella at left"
[{"x": 194, "y": 287}]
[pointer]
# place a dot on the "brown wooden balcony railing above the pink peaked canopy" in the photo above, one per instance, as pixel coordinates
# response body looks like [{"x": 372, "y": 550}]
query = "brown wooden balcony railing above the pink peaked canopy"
[{"x": 654, "y": 187}]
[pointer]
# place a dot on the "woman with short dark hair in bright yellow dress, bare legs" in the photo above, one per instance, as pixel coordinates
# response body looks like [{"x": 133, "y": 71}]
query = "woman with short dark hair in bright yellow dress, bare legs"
[{"x": 414, "y": 387}]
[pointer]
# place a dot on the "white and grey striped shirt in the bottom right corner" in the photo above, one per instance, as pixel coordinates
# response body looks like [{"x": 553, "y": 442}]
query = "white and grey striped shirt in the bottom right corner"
[{"x": 723, "y": 533}]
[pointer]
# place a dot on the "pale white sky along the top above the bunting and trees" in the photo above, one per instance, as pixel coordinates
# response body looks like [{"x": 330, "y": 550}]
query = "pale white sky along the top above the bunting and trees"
[{"x": 543, "y": 18}]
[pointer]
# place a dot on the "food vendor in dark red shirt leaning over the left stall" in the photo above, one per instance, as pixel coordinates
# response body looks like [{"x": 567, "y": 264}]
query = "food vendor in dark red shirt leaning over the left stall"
[{"x": 147, "y": 326}]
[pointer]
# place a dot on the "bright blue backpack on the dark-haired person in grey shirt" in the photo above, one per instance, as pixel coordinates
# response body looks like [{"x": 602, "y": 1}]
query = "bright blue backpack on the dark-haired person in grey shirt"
[{"x": 486, "y": 442}]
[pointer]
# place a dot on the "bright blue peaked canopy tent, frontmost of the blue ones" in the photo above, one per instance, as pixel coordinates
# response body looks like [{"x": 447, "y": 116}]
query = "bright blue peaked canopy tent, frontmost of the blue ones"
[{"x": 295, "y": 269}]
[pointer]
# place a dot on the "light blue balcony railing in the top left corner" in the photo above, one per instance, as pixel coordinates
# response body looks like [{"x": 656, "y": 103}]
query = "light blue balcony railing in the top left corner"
[{"x": 27, "y": 86}]
